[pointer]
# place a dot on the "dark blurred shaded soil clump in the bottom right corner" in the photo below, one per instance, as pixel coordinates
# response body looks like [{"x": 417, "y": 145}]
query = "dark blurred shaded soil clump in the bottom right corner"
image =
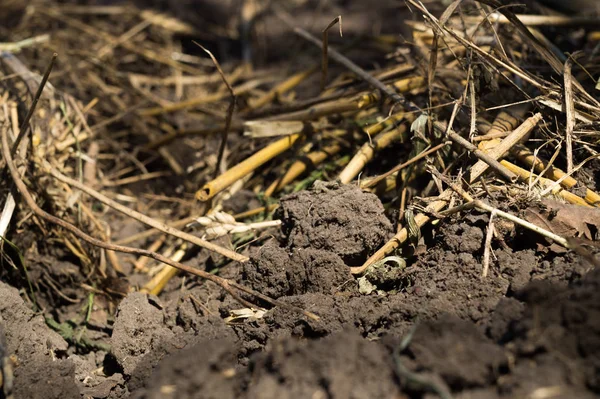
[{"x": 558, "y": 337}]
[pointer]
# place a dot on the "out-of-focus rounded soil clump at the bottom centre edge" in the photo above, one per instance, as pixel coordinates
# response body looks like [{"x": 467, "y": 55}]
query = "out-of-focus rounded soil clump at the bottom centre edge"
[{"x": 342, "y": 365}]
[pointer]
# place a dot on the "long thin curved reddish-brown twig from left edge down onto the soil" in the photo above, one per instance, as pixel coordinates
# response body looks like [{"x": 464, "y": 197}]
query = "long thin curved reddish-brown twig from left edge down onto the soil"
[{"x": 226, "y": 284}]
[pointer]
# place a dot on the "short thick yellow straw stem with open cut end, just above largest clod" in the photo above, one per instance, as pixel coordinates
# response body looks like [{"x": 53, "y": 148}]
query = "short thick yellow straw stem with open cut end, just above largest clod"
[{"x": 246, "y": 167}]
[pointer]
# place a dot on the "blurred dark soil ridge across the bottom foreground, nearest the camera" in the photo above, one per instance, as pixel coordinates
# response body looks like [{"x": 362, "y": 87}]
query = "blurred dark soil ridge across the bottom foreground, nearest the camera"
[{"x": 550, "y": 343}]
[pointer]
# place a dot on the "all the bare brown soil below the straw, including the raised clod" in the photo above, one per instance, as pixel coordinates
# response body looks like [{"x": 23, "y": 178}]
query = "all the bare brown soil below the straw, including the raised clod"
[{"x": 503, "y": 336}]
